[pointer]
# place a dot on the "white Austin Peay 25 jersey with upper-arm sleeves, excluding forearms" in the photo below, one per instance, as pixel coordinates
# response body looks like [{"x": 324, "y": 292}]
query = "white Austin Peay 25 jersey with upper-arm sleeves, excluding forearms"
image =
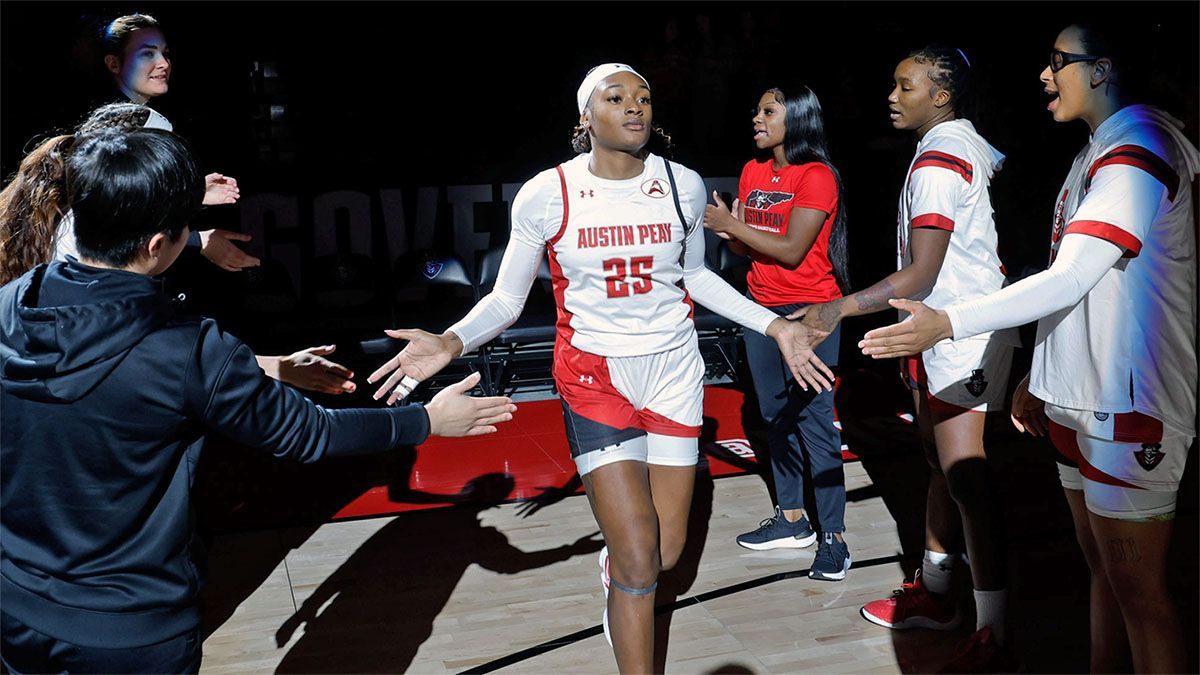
[{"x": 615, "y": 250}]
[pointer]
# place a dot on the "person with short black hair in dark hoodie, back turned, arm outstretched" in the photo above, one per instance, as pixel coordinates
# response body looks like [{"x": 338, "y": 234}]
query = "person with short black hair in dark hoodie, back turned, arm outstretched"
[{"x": 106, "y": 398}]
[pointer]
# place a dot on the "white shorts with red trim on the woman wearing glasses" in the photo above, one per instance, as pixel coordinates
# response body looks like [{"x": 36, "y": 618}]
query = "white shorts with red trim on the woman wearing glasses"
[{"x": 1125, "y": 481}]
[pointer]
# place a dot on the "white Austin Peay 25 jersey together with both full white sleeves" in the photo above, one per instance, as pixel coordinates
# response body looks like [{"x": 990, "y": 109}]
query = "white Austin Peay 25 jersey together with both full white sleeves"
[{"x": 617, "y": 255}]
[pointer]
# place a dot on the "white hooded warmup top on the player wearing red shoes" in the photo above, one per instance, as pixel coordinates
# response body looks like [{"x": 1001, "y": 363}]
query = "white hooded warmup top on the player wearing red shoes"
[{"x": 947, "y": 188}]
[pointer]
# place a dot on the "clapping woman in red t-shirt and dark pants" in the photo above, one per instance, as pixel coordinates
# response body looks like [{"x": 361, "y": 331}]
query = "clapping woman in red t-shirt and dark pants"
[{"x": 794, "y": 225}]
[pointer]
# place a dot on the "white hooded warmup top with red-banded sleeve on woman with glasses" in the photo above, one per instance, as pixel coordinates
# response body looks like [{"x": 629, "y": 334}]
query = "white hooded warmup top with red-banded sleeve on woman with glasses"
[{"x": 1129, "y": 345}]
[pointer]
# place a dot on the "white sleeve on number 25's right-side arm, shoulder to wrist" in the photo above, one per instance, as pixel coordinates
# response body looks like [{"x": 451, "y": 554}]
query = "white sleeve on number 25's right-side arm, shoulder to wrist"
[{"x": 703, "y": 284}]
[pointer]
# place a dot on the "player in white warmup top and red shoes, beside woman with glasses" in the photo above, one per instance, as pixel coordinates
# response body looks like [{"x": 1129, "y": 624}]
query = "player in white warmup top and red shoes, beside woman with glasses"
[{"x": 947, "y": 253}]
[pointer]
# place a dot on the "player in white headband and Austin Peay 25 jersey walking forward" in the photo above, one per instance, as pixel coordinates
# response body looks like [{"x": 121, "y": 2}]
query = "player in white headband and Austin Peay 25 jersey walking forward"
[{"x": 623, "y": 231}]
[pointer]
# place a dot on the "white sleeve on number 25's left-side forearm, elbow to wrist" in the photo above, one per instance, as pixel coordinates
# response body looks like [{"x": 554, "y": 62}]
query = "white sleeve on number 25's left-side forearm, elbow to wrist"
[{"x": 497, "y": 310}]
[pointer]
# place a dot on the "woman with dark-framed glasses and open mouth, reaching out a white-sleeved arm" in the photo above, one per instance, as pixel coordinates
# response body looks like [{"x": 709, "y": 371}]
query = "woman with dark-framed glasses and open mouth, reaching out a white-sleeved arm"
[{"x": 1114, "y": 378}]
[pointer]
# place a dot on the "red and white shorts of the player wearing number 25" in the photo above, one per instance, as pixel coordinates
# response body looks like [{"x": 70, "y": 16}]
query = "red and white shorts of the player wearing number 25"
[{"x": 613, "y": 401}]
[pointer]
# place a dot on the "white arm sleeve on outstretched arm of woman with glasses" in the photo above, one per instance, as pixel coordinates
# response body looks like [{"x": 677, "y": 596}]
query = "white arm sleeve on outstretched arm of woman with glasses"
[{"x": 1082, "y": 262}]
